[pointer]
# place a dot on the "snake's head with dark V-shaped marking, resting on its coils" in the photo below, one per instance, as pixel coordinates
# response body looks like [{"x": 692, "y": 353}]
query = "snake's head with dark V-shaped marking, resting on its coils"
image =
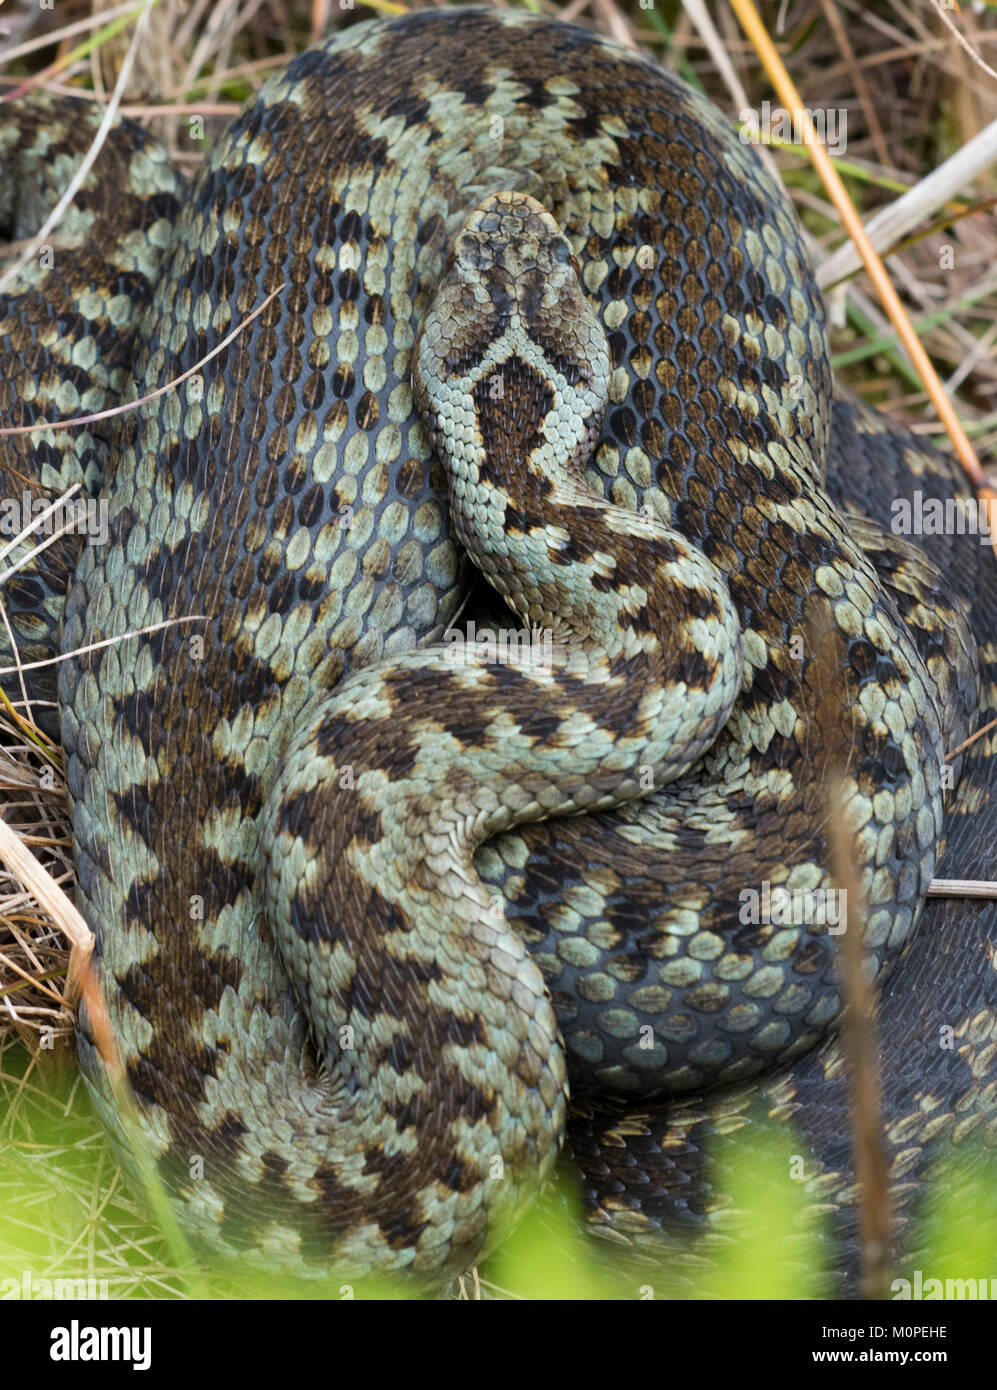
[{"x": 511, "y": 368}]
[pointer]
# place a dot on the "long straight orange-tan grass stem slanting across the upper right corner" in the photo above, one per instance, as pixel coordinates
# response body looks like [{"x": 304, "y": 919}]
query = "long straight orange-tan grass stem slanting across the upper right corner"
[{"x": 822, "y": 163}]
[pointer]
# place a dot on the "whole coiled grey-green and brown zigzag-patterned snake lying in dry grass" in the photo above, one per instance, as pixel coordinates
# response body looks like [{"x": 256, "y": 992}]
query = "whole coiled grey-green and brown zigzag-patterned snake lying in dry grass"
[{"x": 382, "y": 931}]
